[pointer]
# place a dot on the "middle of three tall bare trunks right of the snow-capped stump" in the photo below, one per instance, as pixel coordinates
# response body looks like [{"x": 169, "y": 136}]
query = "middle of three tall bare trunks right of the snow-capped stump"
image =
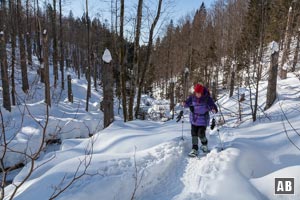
[{"x": 135, "y": 73}]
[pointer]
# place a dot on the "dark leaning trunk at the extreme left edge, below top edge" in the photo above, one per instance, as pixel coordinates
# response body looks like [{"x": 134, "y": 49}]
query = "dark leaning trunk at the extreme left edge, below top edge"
[{"x": 4, "y": 72}]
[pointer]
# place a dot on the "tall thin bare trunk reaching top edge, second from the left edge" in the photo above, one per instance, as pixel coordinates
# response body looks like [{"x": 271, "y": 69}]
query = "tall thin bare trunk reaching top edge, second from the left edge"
[{"x": 13, "y": 49}]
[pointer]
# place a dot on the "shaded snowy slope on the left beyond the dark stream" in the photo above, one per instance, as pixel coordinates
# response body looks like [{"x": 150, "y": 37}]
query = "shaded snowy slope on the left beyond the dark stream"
[{"x": 24, "y": 125}]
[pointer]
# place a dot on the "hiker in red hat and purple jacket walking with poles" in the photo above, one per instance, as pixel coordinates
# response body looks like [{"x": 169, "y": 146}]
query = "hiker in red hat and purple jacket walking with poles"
[{"x": 200, "y": 103}]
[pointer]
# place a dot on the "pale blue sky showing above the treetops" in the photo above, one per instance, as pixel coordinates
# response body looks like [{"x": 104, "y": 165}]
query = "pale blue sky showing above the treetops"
[{"x": 102, "y": 10}]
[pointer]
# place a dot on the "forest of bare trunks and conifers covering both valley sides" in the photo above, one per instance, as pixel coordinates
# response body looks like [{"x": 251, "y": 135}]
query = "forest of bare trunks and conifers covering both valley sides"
[{"x": 226, "y": 38}]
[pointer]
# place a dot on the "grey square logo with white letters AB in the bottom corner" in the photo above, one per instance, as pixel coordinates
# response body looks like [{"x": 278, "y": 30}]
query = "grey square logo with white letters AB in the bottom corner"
[{"x": 284, "y": 186}]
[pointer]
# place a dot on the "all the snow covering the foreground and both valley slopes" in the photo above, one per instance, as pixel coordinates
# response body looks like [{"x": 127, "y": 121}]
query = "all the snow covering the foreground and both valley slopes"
[{"x": 152, "y": 153}]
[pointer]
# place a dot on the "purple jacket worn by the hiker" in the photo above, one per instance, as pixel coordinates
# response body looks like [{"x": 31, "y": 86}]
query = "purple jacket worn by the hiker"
[{"x": 200, "y": 107}]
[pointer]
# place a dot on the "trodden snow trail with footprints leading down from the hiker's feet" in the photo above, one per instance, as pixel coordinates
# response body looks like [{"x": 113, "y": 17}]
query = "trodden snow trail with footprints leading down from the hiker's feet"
[{"x": 192, "y": 178}]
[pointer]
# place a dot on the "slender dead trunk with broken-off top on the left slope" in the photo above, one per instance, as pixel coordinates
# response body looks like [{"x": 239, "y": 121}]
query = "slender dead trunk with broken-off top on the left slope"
[{"x": 46, "y": 68}]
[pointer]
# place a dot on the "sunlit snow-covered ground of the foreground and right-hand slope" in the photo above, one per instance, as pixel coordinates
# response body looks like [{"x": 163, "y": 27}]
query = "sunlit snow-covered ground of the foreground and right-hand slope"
[{"x": 149, "y": 159}]
